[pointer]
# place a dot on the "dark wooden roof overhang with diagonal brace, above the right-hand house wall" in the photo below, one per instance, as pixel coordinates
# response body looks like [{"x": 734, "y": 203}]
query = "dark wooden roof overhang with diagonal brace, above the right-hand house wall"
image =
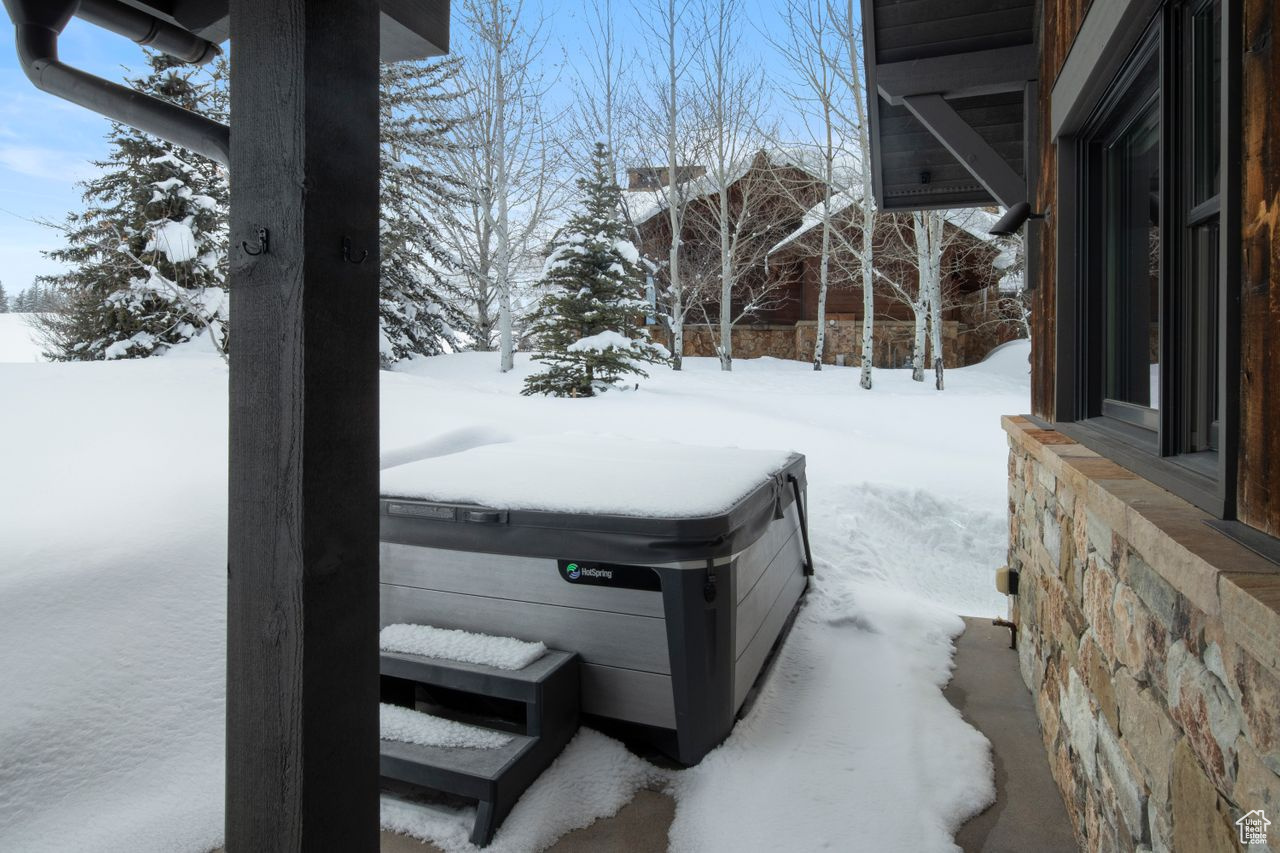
[{"x": 949, "y": 84}]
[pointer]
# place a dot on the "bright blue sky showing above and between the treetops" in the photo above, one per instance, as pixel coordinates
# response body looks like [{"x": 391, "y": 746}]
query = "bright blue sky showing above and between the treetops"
[{"x": 47, "y": 145}]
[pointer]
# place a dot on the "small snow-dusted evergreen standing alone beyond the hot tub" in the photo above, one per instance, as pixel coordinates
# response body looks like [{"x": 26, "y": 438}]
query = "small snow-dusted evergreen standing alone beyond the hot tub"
[{"x": 593, "y": 299}]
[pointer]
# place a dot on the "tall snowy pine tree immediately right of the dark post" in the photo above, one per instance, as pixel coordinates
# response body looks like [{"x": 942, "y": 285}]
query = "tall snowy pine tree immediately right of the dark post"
[{"x": 422, "y": 308}]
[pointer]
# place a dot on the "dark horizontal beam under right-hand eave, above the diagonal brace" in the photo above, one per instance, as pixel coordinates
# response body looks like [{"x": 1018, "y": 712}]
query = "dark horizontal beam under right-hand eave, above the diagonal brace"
[{"x": 981, "y": 72}]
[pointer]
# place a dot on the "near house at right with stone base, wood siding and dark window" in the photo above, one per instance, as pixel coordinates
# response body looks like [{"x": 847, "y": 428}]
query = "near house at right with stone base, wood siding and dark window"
[{"x": 1136, "y": 144}]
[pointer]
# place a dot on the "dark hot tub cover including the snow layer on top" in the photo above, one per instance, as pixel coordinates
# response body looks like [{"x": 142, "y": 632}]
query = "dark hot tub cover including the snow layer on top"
[{"x": 593, "y": 496}]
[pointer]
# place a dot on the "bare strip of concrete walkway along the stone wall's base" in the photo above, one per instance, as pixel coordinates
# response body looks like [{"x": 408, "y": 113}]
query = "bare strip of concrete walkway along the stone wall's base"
[{"x": 1028, "y": 813}]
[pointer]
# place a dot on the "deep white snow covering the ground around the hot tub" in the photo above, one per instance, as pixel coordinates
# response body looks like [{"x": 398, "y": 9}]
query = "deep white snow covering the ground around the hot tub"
[{"x": 113, "y": 613}]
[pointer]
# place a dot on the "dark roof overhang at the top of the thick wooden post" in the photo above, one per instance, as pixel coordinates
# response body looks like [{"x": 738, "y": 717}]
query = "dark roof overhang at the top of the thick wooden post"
[{"x": 410, "y": 29}]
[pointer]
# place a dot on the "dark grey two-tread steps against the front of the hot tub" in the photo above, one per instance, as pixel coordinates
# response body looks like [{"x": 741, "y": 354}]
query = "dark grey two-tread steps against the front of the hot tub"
[{"x": 542, "y": 714}]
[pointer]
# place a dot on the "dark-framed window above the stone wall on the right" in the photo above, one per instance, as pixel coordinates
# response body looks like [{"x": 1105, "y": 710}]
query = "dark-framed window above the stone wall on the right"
[{"x": 1149, "y": 238}]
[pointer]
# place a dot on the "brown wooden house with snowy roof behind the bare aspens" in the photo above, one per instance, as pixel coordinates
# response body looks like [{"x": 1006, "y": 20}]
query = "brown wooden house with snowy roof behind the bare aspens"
[{"x": 775, "y": 211}]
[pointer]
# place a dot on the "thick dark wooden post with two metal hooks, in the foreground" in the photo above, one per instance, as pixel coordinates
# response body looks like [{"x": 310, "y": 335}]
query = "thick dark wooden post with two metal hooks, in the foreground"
[{"x": 303, "y": 560}]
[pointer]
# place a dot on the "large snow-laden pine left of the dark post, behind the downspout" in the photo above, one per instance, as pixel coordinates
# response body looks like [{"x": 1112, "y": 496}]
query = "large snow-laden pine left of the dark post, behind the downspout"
[{"x": 148, "y": 256}]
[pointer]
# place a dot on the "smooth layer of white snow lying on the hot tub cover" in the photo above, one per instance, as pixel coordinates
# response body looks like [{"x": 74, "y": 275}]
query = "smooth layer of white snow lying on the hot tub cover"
[{"x": 589, "y": 475}]
